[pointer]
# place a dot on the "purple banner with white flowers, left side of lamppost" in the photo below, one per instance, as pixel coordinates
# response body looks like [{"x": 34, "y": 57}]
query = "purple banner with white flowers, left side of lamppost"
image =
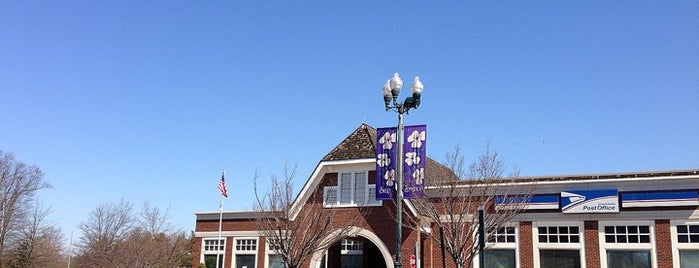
[{"x": 386, "y": 148}]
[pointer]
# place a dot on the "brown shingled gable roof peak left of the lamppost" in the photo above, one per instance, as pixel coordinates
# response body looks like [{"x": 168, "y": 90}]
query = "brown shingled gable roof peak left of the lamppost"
[{"x": 358, "y": 145}]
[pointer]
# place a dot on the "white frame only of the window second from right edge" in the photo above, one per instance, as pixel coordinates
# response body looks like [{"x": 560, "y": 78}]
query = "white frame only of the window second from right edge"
[{"x": 604, "y": 246}]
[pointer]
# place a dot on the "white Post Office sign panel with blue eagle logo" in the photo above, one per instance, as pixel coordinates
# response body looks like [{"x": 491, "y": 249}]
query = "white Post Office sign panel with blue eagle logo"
[{"x": 591, "y": 201}]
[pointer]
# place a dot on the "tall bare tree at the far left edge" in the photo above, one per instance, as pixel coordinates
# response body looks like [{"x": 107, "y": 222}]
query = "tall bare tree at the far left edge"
[{"x": 18, "y": 186}]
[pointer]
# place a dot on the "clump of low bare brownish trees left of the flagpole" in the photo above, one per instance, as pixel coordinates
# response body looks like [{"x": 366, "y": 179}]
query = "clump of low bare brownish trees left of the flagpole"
[{"x": 114, "y": 237}]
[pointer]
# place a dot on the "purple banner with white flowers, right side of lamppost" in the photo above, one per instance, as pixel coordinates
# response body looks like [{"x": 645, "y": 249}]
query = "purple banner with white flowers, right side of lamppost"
[{"x": 414, "y": 152}]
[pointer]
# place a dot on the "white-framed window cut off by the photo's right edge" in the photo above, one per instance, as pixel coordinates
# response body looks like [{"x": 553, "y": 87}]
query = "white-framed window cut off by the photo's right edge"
[{"x": 685, "y": 244}]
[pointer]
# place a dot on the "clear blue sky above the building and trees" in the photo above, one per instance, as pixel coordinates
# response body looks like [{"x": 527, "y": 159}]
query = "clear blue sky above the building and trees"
[{"x": 148, "y": 101}]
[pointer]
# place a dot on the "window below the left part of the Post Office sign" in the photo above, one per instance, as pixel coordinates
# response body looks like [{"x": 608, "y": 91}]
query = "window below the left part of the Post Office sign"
[{"x": 559, "y": 245}]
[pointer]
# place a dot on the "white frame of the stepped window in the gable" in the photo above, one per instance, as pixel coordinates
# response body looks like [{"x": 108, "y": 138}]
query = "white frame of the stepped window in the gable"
[{"x": 368, "y": 188}]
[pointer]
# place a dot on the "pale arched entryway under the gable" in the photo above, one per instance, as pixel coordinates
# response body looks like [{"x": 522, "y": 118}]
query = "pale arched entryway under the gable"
[{"x": 362, "y": 250}]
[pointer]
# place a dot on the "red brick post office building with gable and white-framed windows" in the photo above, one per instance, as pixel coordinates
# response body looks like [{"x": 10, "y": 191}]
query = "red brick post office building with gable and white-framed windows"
[{"x": 609, "y": 220}]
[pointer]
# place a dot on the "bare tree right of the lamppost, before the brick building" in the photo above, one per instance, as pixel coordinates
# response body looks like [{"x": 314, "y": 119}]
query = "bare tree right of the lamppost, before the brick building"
[{"x": 455, "y": 195}]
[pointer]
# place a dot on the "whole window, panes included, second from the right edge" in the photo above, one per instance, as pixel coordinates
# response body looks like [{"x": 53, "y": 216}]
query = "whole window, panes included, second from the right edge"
[{"x": 627, "y": 244}]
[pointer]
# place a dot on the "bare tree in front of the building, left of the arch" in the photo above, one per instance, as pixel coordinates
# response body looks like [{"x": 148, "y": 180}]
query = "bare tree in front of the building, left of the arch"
[{"x": 295, "y": 239}]
